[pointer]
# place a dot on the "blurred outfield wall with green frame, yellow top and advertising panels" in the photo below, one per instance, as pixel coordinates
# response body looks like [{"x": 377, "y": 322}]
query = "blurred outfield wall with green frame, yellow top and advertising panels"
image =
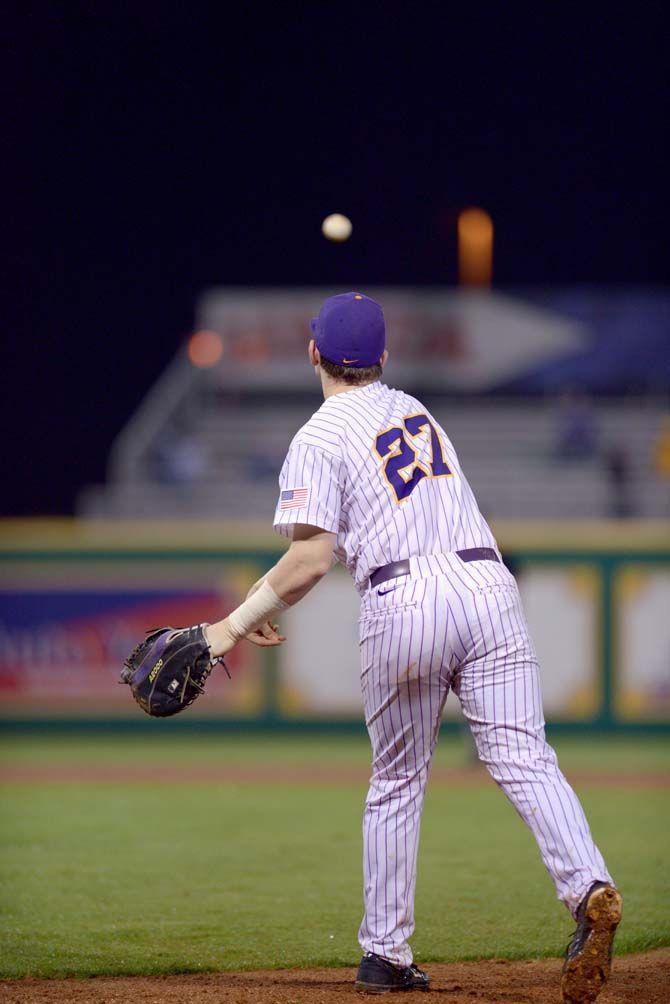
[{"x": 76, "y": 597}]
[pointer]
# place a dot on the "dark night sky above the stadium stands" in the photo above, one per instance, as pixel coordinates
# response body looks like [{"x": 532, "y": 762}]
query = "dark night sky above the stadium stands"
[{"x": 157, "y": 149}]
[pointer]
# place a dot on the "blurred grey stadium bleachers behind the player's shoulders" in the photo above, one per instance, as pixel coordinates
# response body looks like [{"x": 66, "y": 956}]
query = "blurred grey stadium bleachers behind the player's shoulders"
[{"x": 508, "y": 448}]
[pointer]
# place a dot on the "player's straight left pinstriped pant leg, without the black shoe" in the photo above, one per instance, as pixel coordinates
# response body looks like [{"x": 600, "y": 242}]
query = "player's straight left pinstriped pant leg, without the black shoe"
[{"x": 404, "y": 689}]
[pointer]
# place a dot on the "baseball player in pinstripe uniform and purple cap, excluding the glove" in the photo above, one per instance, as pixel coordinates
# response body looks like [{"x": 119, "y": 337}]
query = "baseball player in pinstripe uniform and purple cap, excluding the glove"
[{"x": 373, "y": 480}]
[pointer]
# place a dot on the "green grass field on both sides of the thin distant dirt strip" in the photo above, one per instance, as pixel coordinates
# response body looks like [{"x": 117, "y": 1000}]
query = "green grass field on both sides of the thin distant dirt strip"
[{"x": 123, "y": 879}]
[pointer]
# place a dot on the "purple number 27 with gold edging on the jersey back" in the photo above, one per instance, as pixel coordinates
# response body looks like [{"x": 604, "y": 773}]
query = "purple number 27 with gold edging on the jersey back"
[{"x": 402, "y": 470}]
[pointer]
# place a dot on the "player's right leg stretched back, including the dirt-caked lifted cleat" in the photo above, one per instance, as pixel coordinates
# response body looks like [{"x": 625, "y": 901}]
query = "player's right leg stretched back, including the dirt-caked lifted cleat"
[{"x": 499, "y": 686}]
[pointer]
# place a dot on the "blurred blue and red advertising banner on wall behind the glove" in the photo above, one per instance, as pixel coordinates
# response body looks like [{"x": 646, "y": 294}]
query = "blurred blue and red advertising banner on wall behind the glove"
[{"x": 66, "y": 630}]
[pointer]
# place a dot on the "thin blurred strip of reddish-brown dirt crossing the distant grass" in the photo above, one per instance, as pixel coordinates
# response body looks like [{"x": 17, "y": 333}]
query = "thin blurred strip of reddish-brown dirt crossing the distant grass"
[{"x": 273, "y": 774}]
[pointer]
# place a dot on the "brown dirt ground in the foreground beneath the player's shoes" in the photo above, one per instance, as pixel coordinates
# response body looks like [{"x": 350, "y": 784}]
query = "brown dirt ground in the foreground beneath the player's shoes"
[{"x": 642, "y": 979}]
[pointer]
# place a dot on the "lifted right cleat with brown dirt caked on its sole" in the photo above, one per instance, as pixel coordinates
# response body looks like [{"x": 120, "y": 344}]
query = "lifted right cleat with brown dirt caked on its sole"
[{"x": 589, "y": 955}]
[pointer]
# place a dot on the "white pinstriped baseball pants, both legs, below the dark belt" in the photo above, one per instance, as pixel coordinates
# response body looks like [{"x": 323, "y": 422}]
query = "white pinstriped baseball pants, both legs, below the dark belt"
[{"x": 452, "y": 625}]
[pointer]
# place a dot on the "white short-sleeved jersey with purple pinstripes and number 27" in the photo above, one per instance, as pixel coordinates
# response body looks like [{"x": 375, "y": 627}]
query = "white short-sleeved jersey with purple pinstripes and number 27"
[{"x": 375, "y": 468}]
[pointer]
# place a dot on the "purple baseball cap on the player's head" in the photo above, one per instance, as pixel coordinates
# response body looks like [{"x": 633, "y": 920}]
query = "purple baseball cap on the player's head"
[{"x": 350, "y": 331}]
